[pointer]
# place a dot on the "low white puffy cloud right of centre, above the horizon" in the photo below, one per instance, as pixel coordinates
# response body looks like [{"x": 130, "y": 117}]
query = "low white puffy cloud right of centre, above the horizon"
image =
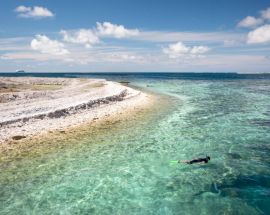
[{"x": 177, "y": 50}]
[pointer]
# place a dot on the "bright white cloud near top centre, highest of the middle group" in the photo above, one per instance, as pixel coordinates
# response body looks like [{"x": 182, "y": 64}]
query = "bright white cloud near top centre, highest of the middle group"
[{"x": 117, "y": 31}]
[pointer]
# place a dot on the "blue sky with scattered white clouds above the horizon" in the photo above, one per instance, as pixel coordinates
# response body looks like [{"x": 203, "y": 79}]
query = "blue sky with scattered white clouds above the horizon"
[{"x": 135, "y": 36}]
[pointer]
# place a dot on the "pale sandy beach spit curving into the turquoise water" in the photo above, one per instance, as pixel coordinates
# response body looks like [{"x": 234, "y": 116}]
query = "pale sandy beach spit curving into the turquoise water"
[{"x": 35, "y": 106}]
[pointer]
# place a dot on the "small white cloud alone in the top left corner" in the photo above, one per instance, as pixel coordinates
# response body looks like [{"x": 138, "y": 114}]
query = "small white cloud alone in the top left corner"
[{"x": 33, "y": 12}]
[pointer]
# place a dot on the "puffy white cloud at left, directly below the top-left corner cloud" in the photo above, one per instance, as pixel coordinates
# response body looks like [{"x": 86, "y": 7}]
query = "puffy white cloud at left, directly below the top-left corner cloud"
[{"x": 45, "y": 45}]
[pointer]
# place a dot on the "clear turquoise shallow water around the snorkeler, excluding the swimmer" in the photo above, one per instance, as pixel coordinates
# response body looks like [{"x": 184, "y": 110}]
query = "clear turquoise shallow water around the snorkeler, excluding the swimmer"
[{"x": 127, "y": 170}]
